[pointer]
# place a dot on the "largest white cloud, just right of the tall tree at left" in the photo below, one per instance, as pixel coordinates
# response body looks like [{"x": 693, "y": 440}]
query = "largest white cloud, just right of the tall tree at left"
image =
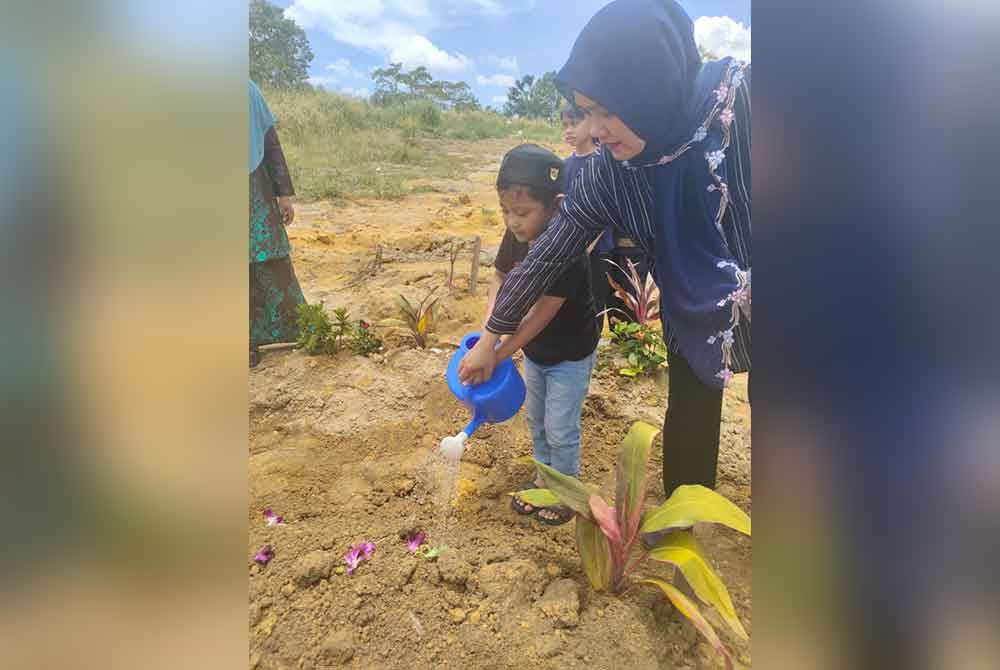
[{"x": 395, "y": 29}]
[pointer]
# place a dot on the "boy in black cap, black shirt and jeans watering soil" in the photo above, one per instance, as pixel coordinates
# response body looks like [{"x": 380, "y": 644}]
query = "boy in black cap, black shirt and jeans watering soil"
[{"x": 559, "y": 334}]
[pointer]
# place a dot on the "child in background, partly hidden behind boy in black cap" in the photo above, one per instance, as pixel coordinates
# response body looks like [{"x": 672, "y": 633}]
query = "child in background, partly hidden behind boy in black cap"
[{"x": 576, "y": 133}]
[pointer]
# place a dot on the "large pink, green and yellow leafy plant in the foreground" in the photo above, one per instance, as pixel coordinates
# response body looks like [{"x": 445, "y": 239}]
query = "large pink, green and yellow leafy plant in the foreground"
[{"x": 614, "y": 541}]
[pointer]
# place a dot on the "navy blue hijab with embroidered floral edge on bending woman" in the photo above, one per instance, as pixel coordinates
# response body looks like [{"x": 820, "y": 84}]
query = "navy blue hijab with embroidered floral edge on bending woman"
[{"x": 639, "y": 60}]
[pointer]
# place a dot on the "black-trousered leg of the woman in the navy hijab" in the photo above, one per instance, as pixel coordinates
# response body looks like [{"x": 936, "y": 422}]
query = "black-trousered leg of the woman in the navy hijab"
[{"x": 691, "y": 428}]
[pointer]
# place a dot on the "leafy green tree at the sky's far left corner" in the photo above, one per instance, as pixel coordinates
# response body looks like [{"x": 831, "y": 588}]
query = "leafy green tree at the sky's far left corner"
[{"x": 279, "y": 49}]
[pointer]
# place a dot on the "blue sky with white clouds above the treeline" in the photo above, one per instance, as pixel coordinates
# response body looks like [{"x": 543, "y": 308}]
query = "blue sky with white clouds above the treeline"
[{"x": 486, "y": 43}]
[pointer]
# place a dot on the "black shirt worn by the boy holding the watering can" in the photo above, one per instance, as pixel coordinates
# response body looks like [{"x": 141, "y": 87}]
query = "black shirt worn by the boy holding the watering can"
[{"x": 572, "y": 334}]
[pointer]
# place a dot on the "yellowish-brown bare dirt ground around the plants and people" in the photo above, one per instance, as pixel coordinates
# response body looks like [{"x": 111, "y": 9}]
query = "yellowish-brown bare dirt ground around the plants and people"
[{"x": 342, "y": 447}]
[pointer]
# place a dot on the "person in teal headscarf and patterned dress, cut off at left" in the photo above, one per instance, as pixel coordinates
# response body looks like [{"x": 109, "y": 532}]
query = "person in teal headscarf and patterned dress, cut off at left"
[{"x": 274, "y": 290}]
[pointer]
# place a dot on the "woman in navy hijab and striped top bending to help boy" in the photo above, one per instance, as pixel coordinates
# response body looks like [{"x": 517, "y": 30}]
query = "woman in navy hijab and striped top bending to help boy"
[{"x": 673, "y": 174}]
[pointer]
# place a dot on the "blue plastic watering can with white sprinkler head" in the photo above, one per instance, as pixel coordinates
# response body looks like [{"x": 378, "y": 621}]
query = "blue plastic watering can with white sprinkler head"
[{"x": 494, "y": 401}]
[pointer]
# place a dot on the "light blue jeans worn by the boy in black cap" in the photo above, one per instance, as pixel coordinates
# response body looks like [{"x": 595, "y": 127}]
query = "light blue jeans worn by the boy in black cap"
[{"x": 553, "y": 406}]
